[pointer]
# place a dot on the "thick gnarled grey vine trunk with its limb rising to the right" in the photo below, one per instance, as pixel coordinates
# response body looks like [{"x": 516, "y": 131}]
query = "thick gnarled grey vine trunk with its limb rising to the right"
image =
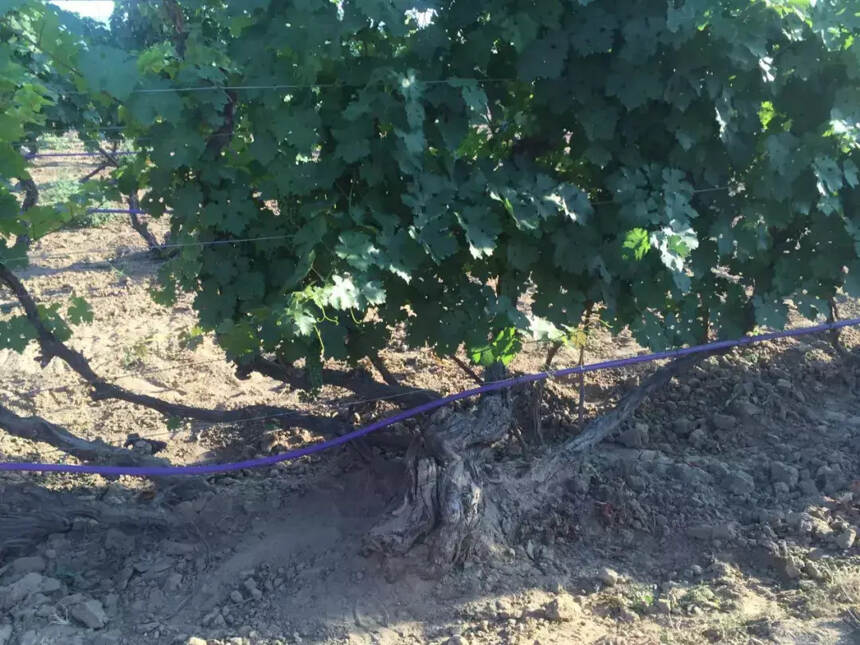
[{"x": 450, "y": 504}]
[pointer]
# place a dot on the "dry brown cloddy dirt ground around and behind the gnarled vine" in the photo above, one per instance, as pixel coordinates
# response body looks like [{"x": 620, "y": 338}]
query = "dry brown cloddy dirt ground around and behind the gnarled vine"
[{"x": 725, "y": 511}]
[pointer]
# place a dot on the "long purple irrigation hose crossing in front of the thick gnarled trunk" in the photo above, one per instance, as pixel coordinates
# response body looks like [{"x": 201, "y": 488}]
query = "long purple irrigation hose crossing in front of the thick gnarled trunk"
[{"x": 209, "y": 469}]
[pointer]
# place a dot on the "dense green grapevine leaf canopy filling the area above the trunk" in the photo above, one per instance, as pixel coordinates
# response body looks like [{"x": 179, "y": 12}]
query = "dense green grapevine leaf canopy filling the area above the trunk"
[{"x": 688, "y": 166}]
